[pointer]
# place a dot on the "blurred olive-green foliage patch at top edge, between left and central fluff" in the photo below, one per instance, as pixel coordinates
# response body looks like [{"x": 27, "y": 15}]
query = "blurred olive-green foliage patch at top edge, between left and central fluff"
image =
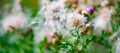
[{"x": 30, "y": 7}]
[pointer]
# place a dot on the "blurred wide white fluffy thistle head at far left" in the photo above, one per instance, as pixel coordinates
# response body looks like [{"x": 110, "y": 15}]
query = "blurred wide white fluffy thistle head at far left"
[{"x": 16, "y": 21}]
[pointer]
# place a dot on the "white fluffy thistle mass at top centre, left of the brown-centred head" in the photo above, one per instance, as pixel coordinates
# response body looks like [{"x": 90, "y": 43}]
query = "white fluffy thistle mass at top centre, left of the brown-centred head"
[{"x": 50, "y": 12}]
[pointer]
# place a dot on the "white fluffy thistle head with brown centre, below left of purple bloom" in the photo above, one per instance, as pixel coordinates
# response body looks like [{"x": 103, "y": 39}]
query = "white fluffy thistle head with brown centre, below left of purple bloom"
[{"x": 76, "y": 20}]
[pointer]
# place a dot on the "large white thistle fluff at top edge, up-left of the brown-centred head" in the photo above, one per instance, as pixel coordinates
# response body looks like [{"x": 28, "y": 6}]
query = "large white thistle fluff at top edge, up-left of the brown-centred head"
[{"x": 51, "y": 11}]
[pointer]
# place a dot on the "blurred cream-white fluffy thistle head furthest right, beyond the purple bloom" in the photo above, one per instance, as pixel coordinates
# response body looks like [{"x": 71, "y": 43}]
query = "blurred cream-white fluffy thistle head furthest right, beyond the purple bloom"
[{"x": 102, "y": 22}]
